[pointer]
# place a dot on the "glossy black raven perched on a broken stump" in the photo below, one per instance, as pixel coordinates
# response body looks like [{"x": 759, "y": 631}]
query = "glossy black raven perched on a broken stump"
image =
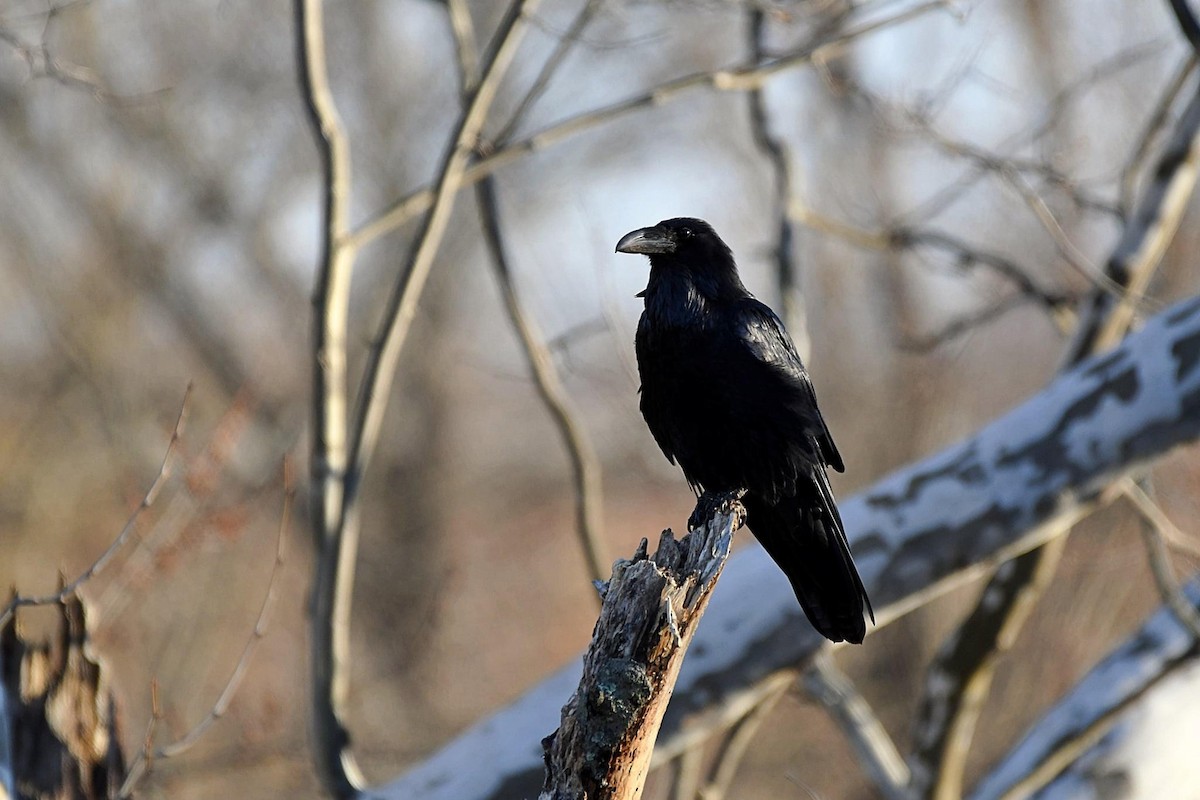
[{"x": 728, "y": 399}]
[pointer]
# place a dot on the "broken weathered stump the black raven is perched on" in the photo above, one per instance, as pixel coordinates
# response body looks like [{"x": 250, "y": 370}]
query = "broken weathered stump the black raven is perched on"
[{"x": 652, "y": 605}]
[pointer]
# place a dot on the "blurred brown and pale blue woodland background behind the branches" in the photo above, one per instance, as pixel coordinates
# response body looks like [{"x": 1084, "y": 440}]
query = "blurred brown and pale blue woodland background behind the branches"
[{"x": 161, "y": 225}]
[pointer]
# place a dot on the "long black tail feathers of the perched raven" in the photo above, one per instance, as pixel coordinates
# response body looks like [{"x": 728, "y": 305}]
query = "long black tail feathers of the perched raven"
[{"x": 806, "y": 538}]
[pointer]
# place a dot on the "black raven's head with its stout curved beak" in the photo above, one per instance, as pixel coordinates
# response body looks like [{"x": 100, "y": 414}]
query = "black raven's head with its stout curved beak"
[{"x": 686, "y": 249}]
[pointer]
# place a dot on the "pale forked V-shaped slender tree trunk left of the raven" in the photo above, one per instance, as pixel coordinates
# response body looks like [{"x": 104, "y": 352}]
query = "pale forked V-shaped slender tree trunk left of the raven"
[{"x": 344, "y": 444}]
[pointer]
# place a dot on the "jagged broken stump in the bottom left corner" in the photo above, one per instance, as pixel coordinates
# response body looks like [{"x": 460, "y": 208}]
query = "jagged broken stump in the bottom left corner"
[{"x": 58, "y": 726}]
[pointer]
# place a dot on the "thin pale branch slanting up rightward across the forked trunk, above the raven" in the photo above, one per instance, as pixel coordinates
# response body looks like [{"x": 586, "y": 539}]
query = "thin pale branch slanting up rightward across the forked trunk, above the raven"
[{"x": 740, "y": 79}]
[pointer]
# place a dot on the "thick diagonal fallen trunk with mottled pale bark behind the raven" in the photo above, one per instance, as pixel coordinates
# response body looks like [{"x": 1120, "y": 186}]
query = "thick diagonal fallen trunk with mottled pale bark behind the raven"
[{"x": 916, "y": 534}]
